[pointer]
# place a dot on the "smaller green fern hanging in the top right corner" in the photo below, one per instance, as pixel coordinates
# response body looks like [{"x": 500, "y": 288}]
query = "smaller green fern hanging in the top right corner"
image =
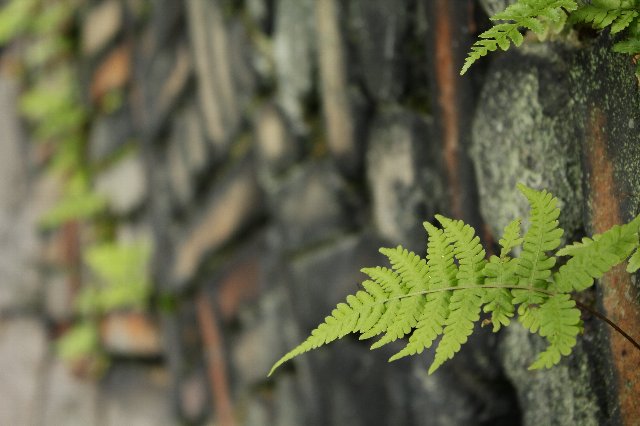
[{"x": 546, "y": 17}]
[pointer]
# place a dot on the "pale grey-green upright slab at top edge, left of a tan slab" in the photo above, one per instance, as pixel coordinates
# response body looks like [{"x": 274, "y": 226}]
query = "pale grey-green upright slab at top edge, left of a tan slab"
[{"x": 294, "y": 55}]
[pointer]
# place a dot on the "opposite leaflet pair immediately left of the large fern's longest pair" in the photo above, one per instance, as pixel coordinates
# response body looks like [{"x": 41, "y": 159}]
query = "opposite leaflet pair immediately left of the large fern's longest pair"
[{"x": 442, "y": 274}]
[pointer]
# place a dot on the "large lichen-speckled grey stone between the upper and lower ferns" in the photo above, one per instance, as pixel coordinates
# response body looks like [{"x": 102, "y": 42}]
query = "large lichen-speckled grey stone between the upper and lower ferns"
[{"x": 527, "y": 131}]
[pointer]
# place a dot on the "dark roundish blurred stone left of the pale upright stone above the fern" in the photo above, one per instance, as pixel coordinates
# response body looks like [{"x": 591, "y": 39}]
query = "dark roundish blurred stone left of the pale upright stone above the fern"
[{"x": 313, "y": 205}]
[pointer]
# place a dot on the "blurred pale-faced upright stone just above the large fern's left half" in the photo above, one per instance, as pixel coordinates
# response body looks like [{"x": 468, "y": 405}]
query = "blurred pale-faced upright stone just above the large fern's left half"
[{"x": 403, "y": 180}]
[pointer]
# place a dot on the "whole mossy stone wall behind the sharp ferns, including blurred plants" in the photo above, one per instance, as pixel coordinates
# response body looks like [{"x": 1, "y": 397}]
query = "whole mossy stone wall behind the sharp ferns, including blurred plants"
[{"x": 187, "y": 187}]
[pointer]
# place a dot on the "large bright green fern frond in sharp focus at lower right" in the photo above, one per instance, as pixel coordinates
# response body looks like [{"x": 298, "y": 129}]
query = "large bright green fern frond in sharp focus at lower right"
[{"x": 442, "y": 297}]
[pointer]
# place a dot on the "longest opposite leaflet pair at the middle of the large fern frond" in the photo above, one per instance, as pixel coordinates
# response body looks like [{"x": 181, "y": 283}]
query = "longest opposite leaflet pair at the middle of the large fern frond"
[{"x": 465, "y": 304}]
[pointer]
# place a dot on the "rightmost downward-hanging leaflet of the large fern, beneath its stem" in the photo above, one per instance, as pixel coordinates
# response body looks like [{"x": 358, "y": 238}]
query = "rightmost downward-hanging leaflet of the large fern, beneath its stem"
[{"x": 559, "y": 323}]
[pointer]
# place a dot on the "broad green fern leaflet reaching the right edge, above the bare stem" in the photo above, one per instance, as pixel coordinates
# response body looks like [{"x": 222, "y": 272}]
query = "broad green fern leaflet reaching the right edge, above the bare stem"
[{"x": 592, "y": 260}]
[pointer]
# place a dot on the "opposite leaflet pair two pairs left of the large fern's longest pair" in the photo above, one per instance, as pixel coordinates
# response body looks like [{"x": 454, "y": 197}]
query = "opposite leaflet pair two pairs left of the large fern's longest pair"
[{"x": 413, "y": 272}]
